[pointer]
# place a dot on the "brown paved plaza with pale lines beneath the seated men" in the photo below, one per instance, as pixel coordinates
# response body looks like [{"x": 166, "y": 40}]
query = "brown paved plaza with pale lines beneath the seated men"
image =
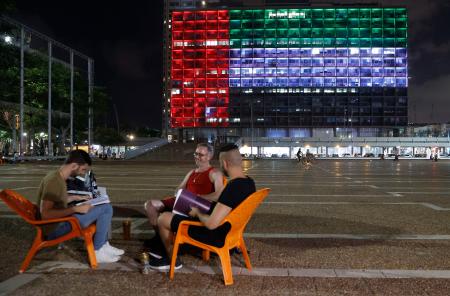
[{"x": 337, "y": 227}]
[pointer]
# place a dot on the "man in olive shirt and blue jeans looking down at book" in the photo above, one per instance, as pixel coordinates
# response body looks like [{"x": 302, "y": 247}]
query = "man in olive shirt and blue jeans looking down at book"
[{"x": 53, "y": 200}]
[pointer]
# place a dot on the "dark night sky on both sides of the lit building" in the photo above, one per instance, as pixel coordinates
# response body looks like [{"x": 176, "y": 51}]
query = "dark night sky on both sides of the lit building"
[{"x": 125, "y": 40}]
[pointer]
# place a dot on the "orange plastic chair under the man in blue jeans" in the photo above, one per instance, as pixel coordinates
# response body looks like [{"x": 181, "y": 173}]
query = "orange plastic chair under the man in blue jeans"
[{"x": 27, "y": 210}]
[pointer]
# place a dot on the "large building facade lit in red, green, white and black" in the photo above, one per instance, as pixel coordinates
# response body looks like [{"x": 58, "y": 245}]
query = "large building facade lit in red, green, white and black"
[{"x": 255, "y": 68}]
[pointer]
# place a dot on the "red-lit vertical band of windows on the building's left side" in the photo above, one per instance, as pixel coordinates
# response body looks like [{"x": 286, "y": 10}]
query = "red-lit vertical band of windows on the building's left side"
[{"x": 200, "y": 53}]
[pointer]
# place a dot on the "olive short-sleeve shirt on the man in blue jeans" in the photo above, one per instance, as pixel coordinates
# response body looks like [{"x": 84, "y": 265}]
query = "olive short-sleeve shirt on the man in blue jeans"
[{"x": 53, "y": 188}]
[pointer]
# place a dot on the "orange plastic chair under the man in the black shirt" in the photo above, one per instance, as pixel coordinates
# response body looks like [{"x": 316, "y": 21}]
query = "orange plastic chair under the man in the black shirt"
[{"x": 238, "y": 218}]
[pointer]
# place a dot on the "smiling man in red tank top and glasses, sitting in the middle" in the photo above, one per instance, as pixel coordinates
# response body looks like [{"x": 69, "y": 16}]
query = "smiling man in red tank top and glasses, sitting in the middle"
[{"x": 204, "y": 181}]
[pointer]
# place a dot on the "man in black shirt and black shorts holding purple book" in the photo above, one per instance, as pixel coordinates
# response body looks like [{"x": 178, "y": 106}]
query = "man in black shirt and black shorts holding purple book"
[{"x": 237, "y": 190}]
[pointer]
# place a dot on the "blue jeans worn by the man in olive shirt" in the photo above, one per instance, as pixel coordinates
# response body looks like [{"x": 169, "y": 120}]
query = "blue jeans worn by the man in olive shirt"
[{"x": 101, "y": 215}]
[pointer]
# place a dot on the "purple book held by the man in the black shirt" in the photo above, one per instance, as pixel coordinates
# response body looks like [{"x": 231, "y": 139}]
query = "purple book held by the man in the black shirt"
[{"x": 185, "y": 200}]
